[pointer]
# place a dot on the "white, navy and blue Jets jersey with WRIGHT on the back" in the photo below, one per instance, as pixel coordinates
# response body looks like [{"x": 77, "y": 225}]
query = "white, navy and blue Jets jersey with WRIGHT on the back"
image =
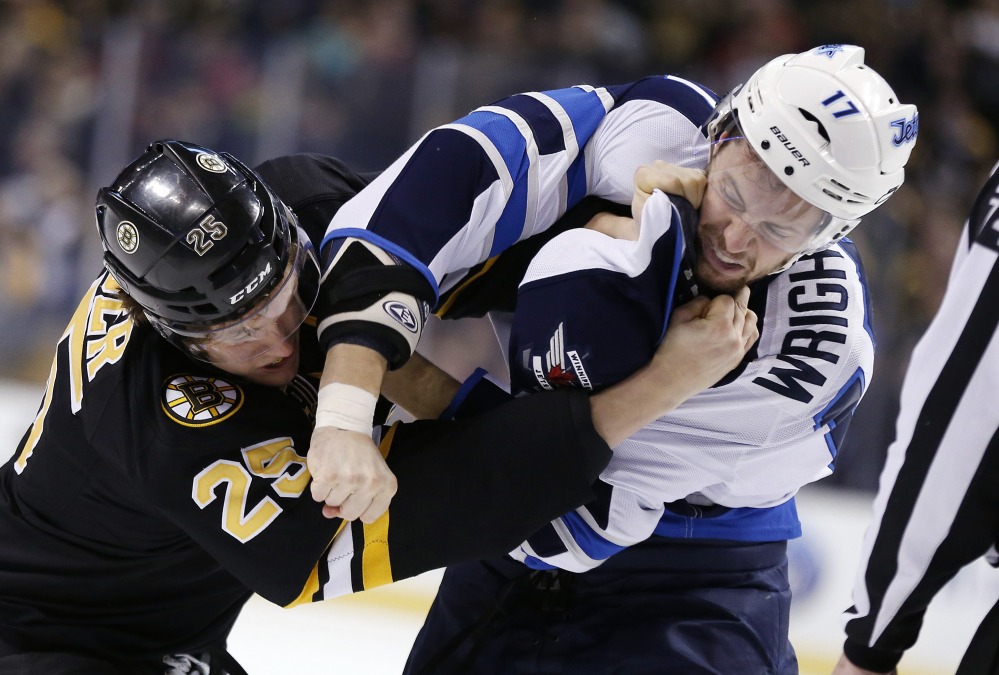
[{"x": 469, "y": 190}]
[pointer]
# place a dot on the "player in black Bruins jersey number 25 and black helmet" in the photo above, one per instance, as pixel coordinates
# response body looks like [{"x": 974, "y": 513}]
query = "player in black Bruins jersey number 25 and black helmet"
[{"x": 164, "y": 478}]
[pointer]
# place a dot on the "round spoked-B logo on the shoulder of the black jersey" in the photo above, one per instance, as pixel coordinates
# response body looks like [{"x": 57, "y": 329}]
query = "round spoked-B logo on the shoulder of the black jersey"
[{"x": 197, "y": 401}]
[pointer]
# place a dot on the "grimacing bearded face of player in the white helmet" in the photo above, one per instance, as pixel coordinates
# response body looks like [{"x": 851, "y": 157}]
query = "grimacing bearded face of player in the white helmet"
[{"x": 750, "y": 223}]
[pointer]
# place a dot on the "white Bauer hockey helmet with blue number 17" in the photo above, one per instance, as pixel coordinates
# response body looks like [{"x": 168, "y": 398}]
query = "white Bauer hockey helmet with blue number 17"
[{"x": 829, "y": 127}]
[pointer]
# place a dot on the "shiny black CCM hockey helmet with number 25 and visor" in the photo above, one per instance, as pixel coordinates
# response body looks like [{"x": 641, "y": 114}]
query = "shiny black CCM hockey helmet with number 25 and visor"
[{"x": 199, "y": 241}]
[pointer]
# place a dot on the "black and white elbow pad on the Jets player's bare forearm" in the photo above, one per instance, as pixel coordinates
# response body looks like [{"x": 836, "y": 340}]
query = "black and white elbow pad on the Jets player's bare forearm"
[{"x": 369, "y": 298}]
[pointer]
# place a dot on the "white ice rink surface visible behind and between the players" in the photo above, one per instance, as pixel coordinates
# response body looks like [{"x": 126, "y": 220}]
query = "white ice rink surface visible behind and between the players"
[{"x": 371, "y": 633}]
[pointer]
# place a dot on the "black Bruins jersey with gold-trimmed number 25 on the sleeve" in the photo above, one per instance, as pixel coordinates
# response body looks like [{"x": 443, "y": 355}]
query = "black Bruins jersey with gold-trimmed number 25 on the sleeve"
[{"x": 154, "y": 493}]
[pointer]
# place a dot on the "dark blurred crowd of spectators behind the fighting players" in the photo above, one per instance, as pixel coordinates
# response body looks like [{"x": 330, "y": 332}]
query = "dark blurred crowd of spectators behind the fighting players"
[{"x": 85, "y": 85}]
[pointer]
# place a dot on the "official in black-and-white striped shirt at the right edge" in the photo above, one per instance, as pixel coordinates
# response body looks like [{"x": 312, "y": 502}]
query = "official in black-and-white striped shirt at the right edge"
[{"x": 937, "y": 508}]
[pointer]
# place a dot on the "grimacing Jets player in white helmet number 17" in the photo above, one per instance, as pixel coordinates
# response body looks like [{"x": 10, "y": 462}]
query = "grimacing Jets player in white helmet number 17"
[{"x": 794, "y": 159}]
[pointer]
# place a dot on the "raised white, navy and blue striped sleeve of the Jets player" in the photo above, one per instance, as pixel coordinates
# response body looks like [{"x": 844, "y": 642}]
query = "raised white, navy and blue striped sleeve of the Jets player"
[{"x": 468, "y": 190}]
